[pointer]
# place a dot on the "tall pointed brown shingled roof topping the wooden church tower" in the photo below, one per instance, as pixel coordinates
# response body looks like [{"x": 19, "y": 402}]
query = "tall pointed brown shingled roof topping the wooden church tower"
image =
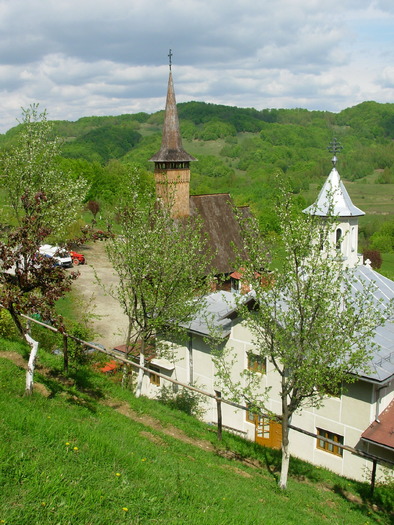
[{"x": 171, "y": 146}]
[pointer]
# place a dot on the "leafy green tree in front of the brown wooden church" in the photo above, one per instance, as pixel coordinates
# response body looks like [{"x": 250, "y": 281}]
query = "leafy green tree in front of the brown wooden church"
[{"x": 158, "y": 284}]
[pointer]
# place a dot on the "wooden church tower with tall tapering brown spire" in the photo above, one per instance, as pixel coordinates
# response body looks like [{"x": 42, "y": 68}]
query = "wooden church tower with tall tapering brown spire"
[{"x": 172, "y": 162}]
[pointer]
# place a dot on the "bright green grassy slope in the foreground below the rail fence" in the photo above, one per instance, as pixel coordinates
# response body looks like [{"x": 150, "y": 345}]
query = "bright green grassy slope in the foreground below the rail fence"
[{"x": 69, "y": 459}]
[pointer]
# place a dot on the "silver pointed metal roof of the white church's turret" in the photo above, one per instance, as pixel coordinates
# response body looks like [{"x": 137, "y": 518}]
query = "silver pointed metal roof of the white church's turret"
[{"x": 334, "y": 195}]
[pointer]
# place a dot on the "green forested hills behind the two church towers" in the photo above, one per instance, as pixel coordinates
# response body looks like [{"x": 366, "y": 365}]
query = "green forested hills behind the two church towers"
[{"x": 239, "y": 150}]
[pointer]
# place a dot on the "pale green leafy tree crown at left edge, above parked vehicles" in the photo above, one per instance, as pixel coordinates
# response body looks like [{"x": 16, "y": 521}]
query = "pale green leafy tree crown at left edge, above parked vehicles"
[{"x": 30, "y": 167}]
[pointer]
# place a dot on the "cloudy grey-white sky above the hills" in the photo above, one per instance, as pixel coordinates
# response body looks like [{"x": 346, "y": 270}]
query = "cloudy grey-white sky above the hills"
[{"x": 80, "y": 58}]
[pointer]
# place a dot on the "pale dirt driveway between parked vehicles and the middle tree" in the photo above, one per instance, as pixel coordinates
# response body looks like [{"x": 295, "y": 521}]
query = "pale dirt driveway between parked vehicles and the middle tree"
[{"x": 111, "y": 325}]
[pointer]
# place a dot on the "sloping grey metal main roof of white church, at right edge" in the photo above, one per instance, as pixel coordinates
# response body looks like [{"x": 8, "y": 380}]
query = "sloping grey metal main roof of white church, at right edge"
[{"x": 382, "y": 363}]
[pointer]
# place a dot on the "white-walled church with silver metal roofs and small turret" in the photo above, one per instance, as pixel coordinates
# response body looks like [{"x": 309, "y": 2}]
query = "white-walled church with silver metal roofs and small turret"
[{"x": 362, "y": 417}]
